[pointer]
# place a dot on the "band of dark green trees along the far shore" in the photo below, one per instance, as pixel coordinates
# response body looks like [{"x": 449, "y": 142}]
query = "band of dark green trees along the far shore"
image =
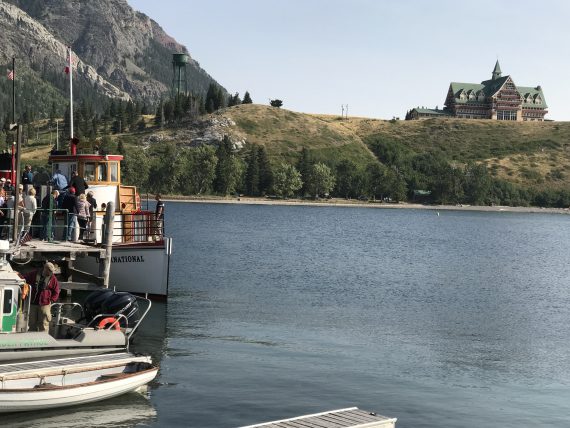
[{"x": 400, "y": 175}]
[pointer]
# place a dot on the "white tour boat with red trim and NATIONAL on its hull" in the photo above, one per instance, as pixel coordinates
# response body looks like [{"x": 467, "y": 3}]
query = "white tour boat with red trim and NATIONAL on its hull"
[{"x": 141, "y": 252}]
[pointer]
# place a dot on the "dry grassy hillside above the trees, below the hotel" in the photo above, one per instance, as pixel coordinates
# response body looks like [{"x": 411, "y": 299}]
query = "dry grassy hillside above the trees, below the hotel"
[{"x": 532, "y": 154}]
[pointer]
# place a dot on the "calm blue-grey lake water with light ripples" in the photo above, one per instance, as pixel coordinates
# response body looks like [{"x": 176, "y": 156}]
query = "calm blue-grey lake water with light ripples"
[{"x": 457, "y": 320}]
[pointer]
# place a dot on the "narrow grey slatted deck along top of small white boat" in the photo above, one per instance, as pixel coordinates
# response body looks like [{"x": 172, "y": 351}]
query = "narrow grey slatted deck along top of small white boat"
[{"x": 60, "y": 363}]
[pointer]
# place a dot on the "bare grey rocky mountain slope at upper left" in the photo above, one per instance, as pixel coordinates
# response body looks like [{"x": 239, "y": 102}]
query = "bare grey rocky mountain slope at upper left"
[{"x": 122, "y": 53}]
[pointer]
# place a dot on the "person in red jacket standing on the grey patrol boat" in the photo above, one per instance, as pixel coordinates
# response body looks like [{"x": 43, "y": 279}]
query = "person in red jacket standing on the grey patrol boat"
[{"x": 44, "y": 292}]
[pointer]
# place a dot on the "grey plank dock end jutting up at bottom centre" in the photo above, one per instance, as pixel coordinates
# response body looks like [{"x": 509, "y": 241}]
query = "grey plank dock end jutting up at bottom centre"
[{"x": 351, "y": 417}]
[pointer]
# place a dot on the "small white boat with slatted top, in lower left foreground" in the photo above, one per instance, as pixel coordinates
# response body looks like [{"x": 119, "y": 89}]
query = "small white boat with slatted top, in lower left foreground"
[{"x": 47, "y": 384}]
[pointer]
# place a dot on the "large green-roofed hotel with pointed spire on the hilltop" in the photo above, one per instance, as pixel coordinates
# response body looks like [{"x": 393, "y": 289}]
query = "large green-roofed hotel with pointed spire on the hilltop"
[{"x": 497, "y": 99}]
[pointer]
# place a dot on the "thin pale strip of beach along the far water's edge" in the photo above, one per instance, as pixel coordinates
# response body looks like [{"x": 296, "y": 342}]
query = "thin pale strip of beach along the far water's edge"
[{"x": 335, "y": 202}]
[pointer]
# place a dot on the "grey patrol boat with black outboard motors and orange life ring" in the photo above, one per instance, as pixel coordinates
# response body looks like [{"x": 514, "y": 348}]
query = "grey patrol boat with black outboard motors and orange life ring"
[{"x": 104, "y": 323}]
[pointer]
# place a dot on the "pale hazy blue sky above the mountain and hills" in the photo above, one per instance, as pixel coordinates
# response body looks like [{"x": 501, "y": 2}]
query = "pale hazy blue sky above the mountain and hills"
[{"x": 381, "y": 57}]
